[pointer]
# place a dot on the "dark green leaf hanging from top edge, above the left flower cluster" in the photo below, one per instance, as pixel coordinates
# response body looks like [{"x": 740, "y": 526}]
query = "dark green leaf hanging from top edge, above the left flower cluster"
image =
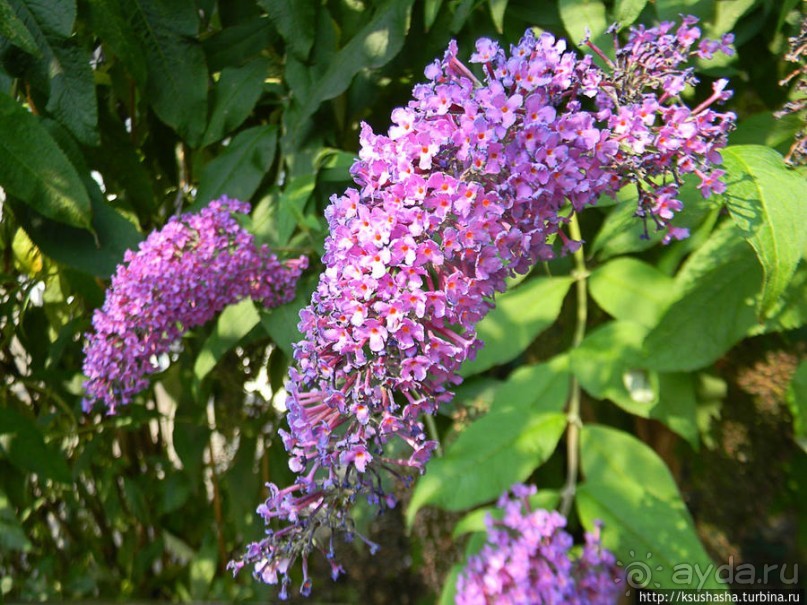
[{"x": 176, "y": 85}]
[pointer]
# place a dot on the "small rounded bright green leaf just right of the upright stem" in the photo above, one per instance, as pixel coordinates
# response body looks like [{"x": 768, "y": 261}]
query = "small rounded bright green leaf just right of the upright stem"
[{"x": 632, "y": 290}]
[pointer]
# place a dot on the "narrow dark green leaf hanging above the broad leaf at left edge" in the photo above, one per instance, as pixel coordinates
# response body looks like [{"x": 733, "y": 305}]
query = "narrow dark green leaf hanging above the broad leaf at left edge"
[{"x": 64, "y": 70}]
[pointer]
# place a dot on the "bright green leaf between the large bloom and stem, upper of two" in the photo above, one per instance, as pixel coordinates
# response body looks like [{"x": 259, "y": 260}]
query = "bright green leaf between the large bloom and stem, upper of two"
[{"x": 520, "y": 315}]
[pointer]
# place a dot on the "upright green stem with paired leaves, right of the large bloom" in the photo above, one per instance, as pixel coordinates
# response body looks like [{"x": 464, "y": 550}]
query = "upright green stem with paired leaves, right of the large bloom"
[{"x": 574, "y": 425}]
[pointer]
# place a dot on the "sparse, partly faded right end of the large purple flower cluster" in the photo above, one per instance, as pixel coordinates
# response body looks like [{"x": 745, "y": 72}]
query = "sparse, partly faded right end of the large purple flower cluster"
[{"x": 660, "y": 138}]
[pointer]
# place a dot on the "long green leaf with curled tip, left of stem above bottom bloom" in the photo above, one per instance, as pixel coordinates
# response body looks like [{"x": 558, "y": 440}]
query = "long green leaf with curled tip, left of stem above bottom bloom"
[{"x": 503, "y": 447}]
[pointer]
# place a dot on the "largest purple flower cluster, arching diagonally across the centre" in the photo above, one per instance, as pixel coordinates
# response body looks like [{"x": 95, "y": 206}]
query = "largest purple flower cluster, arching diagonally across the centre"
[{"x": 473, "y": 183}]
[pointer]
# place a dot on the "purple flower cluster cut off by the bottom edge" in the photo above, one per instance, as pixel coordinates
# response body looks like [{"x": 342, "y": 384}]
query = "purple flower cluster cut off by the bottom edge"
[{"x": 526, "y": 560}]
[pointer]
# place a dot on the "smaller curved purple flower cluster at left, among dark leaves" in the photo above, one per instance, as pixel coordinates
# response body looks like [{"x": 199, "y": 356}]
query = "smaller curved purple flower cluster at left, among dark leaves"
[{"x": 181, "y": 277}]
